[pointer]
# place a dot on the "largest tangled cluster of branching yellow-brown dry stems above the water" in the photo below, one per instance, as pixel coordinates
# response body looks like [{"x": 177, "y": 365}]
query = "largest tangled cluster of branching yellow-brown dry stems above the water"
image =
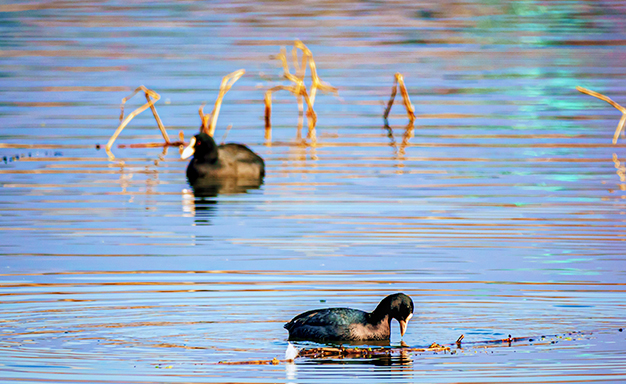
[{"x": 298, "y": 88}]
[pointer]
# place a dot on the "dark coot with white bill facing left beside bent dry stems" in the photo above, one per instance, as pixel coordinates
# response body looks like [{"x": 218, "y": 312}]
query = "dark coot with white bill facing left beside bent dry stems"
[{"x": 212, "y": 161}]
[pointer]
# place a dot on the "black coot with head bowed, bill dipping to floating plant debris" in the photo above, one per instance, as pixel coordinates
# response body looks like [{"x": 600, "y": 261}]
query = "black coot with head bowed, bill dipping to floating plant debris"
[{"x": 336, "y": 324}]
